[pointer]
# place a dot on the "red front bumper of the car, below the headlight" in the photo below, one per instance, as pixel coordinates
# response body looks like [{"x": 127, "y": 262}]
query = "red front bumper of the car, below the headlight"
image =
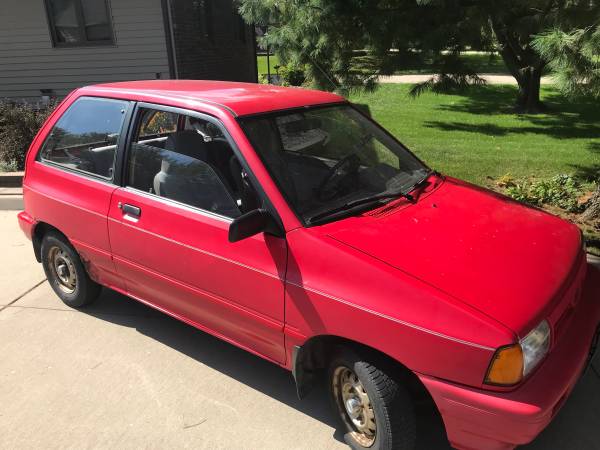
[{"x": 476, "y": 419}]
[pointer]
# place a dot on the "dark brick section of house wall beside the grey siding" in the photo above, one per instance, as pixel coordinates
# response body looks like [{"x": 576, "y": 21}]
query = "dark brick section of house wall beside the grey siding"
[{"x": 228, "y": 54}]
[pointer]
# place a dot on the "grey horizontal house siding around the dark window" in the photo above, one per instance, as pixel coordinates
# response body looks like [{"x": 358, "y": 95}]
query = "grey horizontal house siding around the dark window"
[{"x": 29, "y": 62}]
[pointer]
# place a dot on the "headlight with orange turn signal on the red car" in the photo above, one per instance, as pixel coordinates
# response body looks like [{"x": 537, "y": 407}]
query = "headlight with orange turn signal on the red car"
[{"x": 512, "y": 363}]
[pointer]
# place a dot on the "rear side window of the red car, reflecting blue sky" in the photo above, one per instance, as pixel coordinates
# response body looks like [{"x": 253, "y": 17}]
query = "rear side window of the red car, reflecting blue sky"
[{"x": 86, "y": 136}]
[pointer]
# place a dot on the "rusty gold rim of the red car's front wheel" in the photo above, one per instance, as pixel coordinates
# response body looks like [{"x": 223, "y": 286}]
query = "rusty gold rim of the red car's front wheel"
[{"x": 354, "y": 406}]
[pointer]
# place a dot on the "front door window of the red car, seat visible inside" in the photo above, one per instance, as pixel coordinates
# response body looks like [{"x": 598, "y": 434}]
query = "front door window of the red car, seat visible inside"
[{"x": 188, "y": 160}]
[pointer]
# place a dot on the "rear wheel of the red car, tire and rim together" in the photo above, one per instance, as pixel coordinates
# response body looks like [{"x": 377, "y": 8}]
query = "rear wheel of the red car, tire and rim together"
[{"x": 83, "y": 290}]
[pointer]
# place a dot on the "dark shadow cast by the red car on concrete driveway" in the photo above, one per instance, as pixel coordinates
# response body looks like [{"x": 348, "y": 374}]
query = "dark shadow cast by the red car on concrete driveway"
[{"x": 576, "y": 426}]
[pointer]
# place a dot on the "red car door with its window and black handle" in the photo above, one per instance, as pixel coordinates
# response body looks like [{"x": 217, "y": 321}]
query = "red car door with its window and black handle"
[{"x": 169, "y": 224}]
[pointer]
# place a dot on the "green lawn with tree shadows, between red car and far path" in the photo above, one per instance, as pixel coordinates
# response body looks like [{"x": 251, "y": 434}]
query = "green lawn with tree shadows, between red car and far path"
[{"x": 478, "y": 137}]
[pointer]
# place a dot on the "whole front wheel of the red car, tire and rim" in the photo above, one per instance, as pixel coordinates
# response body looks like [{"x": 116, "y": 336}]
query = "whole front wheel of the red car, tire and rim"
[{"x": 375, "y": 410}]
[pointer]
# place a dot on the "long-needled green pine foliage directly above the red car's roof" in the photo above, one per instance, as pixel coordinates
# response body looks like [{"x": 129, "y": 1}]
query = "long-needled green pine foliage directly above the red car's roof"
[{"x": 322, "y": 37}]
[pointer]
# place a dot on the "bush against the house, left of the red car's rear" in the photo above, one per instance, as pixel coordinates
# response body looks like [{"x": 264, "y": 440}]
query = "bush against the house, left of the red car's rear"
[{"x": 19, "y": 124}]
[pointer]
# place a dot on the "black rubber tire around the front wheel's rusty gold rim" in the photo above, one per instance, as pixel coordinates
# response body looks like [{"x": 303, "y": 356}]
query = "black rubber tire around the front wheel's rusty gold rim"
[{"x": 392, "y": 405}]
